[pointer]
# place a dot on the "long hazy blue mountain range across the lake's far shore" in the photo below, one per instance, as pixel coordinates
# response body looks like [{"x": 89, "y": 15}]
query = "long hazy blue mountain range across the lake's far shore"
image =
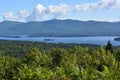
[{"x": 60, "y": 28}]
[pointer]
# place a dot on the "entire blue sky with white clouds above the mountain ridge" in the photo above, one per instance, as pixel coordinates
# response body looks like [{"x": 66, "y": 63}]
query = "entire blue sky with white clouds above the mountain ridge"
[{"x": 42, "y": 10}]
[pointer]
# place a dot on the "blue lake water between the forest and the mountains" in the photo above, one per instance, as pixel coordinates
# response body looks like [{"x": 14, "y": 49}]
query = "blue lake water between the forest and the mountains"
[{"x": 100, "y": 40}]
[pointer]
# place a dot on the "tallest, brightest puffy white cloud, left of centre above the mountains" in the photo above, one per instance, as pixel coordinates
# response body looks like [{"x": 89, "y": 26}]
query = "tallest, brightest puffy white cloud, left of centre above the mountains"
[{"x": 41, "y": 13}]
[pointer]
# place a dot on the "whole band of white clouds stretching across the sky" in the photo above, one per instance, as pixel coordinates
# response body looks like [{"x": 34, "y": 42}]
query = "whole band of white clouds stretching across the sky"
[{"x": 41, "y": 13}]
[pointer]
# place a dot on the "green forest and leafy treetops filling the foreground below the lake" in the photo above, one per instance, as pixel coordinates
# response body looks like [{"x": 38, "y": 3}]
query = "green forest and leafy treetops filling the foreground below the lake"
[{"x": 24, "y": 60}]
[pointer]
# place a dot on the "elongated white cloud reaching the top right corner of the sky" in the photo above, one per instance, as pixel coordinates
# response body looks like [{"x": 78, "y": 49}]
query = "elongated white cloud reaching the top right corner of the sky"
[{"x": 102, "y": 4}]
